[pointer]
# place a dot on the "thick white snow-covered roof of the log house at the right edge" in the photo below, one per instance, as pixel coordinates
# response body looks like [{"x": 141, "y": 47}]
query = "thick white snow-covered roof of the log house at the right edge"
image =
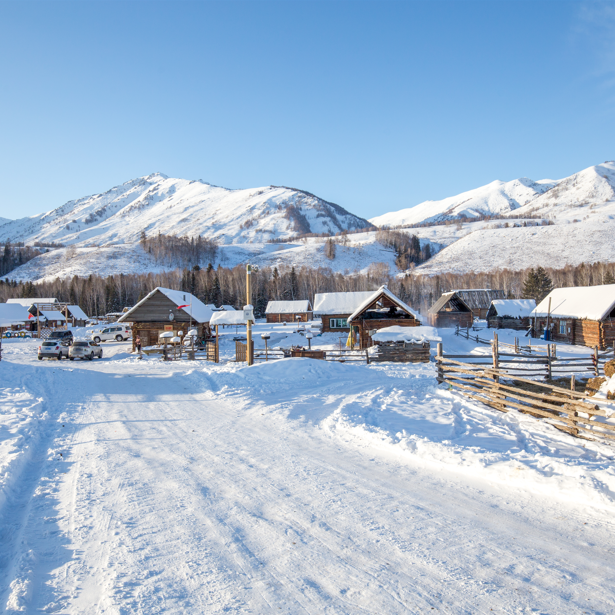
[{"x": 583, "y": 302}]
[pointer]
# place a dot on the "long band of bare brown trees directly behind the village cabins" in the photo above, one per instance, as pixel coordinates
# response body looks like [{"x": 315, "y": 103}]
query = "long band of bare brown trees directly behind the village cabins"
[{"x": 100, "y": 295}]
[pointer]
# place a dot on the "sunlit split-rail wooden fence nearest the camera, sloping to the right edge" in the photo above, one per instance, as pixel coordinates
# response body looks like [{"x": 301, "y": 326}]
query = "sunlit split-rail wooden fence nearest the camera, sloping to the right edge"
[{"x": 566, "y": 410}]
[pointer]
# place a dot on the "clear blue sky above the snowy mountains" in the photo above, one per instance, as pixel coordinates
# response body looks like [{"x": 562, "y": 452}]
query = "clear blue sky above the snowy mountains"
[{"x": 376, "y": 106}]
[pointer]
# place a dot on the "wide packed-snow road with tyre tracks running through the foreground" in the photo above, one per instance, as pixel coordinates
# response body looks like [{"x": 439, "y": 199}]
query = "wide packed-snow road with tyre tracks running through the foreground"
[{"x": 174, "y": 492}]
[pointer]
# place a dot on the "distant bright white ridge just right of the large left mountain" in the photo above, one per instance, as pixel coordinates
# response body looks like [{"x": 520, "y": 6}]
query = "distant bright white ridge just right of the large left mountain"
[{"x": 497, "y": 198}]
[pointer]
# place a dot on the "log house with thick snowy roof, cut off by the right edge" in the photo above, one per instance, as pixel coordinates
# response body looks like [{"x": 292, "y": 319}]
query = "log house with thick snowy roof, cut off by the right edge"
[{"x": 583, "y": 315}]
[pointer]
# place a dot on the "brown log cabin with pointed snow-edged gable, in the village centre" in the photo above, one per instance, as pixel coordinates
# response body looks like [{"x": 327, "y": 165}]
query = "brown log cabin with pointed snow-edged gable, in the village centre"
[{"x": 380, "y": 310}]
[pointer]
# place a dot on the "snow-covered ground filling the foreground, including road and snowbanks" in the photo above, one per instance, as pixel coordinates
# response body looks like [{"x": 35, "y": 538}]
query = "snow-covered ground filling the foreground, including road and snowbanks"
[{"x": 294, "y": 486}]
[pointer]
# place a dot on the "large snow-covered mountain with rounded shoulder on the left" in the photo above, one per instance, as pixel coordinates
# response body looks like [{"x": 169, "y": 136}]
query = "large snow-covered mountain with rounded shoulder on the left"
[{"x": 158, "y": 203}]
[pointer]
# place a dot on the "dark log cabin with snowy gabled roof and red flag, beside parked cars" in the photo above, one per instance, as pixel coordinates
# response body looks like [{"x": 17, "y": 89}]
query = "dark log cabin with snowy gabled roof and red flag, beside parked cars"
[{"x": 167, "y": 310}]
